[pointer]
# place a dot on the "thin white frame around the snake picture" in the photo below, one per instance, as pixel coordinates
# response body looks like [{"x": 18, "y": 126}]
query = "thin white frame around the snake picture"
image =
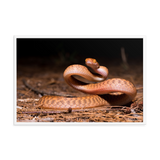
[{"x": 79, "y": 35}]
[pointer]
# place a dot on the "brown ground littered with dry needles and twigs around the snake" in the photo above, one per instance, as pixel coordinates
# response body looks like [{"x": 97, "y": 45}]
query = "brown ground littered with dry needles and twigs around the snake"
[{"x": 41, "y": 78}]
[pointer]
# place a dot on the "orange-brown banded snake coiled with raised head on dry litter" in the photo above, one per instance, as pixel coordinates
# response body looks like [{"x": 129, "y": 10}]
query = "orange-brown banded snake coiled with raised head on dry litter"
[{"x": 101, "y": 92}]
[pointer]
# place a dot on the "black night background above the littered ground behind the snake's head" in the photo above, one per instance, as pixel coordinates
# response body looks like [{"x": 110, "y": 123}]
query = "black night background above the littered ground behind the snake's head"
[{"x": 70, "y": 51}]
